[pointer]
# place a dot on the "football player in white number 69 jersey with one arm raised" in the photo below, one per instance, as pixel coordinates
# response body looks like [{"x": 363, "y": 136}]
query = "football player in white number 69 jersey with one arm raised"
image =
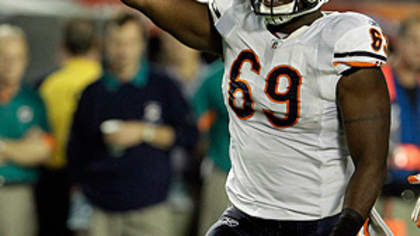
[{"x": 308, "y": 108}]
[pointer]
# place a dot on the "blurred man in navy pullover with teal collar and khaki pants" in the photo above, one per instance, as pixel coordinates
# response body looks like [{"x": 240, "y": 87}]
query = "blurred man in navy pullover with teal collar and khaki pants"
[{"x": 123, "y": 131}]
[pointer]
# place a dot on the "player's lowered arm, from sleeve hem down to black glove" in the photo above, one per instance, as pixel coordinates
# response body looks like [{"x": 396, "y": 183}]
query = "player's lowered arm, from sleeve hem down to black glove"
[{"x": 365, "y": 112}]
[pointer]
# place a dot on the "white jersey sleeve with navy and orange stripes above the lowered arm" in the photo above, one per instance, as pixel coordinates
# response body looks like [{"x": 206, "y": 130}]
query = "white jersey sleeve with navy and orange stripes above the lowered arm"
[{"x": 363, "y": 45}]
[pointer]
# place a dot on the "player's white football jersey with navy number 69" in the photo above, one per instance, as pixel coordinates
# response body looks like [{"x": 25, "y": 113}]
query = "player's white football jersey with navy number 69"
[{"x": 289, "y": 157}]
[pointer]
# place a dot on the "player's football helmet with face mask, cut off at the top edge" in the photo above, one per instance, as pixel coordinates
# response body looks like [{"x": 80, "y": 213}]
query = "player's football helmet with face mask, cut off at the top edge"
[{"x": 277, "y": 12}]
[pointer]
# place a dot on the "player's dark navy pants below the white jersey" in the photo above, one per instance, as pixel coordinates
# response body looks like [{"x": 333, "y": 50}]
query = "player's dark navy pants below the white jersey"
[{"x": 234, "y": 222}]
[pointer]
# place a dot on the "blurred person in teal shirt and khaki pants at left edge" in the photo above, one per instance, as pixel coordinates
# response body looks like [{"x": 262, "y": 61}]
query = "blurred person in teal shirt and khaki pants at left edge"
[{"x": 24, "y": 139}]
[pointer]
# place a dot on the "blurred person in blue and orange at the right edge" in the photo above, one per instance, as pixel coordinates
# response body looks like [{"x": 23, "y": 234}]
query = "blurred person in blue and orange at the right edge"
[{"x": 403, "y": 79}]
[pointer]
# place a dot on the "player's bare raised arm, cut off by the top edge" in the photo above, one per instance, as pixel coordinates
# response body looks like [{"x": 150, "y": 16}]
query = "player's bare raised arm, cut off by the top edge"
[{"x": 186, "y": 20}]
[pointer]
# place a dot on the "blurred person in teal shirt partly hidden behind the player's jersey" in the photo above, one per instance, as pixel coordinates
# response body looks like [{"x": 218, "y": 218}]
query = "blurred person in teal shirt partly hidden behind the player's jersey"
[{"x": 212, "y": 119}]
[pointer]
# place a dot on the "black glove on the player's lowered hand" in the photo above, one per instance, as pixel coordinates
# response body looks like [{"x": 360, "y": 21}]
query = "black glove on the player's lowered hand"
[{"x": 349, "y": 223}]
